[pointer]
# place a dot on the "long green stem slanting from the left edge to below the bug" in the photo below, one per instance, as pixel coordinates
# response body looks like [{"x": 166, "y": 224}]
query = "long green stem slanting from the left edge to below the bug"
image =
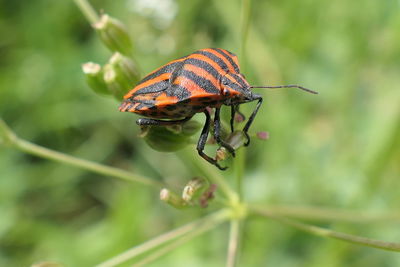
[{"x": 12, "y": 140}]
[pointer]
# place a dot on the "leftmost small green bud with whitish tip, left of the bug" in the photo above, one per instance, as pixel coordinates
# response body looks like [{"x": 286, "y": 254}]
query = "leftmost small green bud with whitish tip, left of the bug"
[{"x": 94, "y": 78}]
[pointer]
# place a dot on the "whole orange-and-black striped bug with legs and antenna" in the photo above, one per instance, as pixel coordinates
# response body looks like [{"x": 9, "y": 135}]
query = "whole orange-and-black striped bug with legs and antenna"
[{"x": 207, "y": 78}]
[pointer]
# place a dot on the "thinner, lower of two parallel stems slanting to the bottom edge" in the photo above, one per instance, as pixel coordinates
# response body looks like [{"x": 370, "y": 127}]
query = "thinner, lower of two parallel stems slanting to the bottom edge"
[{"x": 173, "y": 245}]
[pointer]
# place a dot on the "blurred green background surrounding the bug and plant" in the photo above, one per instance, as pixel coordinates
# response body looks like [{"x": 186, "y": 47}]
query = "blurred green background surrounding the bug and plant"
[{"x": 338, "y": 149}]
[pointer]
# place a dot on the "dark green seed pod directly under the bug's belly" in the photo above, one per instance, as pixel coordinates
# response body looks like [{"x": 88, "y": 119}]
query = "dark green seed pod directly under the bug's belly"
[{"x": 171, "y": 138}]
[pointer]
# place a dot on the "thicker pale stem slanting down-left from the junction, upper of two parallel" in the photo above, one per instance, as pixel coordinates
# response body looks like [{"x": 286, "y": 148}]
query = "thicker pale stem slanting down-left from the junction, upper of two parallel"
[{"x": 206, "y": 222}]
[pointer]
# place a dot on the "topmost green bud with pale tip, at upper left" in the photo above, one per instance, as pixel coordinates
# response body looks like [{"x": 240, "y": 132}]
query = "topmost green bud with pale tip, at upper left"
[{"x": 114, "y": 34}]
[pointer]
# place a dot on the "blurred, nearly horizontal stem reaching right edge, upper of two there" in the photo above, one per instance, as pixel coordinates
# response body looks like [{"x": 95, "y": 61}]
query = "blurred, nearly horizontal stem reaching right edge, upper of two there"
[{"x": 328, "y": 214}]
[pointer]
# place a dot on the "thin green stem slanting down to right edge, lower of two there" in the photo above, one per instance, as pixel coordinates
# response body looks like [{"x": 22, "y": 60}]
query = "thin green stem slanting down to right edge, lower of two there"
[{"x": 319, "y": 231}]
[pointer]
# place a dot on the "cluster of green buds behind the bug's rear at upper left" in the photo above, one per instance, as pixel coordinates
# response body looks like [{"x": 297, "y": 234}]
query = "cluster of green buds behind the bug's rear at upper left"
[{"x": 121, "y": 73}]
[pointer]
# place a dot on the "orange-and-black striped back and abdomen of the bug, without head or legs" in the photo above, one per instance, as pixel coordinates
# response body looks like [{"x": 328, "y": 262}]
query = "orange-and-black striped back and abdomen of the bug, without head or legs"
[{"x": 191, "y": 82}]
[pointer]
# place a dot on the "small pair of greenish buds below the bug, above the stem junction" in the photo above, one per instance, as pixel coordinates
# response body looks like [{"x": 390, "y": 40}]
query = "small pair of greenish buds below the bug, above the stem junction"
[{"x": 196, "y": 192}]
